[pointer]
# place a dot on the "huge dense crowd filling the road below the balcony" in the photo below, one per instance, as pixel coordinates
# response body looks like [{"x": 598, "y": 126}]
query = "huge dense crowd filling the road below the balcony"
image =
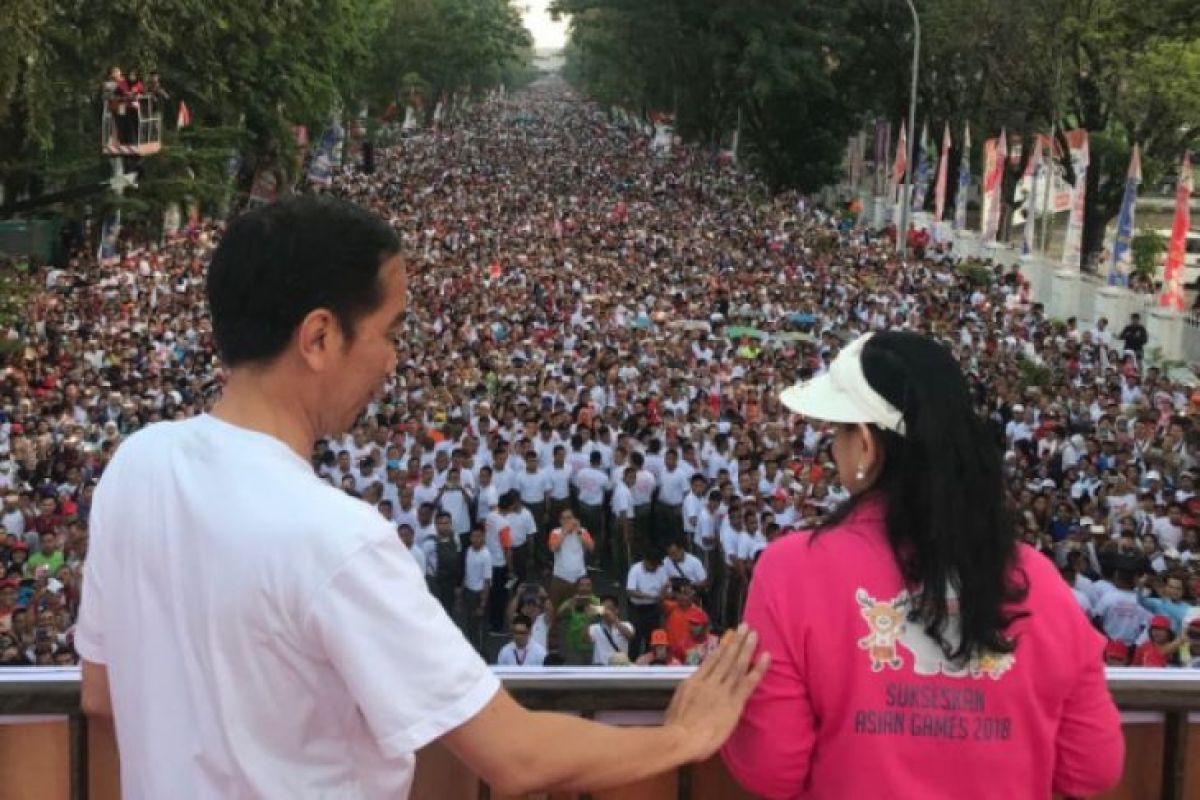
[{"x": 584, "y": 444}]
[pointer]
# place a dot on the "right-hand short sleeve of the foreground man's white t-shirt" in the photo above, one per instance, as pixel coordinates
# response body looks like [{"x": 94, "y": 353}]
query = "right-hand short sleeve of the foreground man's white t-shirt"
[{"x": 367, "y": 621}]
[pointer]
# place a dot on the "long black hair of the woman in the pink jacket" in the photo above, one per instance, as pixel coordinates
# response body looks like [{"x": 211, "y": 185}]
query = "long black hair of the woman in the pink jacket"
[{"x": 943, "y": 485}]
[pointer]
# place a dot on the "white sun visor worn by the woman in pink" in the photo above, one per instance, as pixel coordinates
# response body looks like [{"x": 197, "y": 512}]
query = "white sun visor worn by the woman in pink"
[{"x": 843, "y": 394}]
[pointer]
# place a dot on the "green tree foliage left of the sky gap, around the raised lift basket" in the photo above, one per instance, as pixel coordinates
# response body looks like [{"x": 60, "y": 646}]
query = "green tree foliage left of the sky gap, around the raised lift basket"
[{"x": 248, "y": 71}]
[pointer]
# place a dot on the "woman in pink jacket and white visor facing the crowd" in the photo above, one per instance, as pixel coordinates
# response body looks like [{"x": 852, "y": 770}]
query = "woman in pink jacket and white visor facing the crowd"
[{"x": 916, "y": 649}]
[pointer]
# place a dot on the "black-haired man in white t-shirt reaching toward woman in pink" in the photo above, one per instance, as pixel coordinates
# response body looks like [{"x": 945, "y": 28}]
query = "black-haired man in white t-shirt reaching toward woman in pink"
[{"x": 315, "y": 707}]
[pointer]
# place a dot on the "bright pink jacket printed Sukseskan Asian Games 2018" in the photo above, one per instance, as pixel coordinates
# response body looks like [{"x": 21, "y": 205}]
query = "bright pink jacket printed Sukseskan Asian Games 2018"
[{"x": 860, "y": 703}]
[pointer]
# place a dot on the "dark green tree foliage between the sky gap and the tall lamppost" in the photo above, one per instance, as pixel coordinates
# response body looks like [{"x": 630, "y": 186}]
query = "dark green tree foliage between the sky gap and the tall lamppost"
[{"x": 777, "y": 65}]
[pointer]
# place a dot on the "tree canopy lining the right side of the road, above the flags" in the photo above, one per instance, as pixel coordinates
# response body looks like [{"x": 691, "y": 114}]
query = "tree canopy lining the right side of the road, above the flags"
[{"x": 807, "y": 74}]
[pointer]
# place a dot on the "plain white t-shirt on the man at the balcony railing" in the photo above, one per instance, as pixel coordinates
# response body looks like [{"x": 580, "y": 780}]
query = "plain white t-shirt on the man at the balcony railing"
[{"x": 274, "y": 623}]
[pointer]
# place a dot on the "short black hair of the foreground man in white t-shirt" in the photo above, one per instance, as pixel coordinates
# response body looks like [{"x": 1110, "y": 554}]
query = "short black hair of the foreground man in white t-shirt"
[{"x": 278, "y": 264}]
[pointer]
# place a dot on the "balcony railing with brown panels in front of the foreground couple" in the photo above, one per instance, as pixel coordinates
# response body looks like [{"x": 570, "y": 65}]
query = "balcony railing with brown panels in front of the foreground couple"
[{"x": 50, "y": 753}]
